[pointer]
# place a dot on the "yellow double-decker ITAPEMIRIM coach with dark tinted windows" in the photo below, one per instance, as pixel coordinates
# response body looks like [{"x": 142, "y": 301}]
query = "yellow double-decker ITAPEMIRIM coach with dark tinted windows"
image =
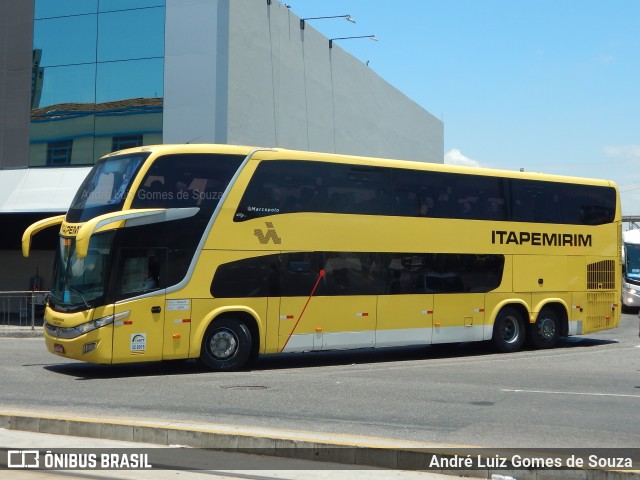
[{"x": 223, "y": 253}]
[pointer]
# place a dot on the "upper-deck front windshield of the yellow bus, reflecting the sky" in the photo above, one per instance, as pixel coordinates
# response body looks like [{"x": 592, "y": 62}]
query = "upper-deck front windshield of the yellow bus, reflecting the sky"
[{"x": 105, "y": 188}]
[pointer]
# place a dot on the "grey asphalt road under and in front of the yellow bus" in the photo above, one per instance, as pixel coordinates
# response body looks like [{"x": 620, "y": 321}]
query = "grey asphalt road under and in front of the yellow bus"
[{"x": 585, "y": 393}]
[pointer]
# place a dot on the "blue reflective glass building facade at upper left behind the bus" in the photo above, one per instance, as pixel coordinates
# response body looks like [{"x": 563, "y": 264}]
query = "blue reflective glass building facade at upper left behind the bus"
[{"x": 97, "y": 78}]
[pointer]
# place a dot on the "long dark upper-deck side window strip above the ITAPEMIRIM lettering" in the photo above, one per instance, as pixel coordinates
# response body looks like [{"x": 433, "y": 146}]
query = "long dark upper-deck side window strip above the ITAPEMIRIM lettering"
[{"x": 280, "y": 187}]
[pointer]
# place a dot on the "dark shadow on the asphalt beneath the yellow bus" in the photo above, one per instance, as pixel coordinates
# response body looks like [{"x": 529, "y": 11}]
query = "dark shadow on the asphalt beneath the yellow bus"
[{"x": 87, "y": 371}]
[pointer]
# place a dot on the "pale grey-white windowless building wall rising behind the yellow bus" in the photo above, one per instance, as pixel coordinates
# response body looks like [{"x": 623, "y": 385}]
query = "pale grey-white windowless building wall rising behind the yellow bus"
[{"x": 243, "y": 72}]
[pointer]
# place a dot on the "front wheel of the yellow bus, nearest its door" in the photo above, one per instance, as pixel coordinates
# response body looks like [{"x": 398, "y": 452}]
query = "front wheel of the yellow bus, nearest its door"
[{"x": 226, "y": 345}]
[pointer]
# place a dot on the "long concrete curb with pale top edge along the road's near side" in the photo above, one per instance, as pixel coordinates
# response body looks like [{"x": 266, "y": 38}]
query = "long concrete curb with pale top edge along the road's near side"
[{"x": 342, "y": 449}]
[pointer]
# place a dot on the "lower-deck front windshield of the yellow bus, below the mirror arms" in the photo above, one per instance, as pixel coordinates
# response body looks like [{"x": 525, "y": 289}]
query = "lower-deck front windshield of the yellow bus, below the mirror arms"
[{"x": 80, "y": 282}]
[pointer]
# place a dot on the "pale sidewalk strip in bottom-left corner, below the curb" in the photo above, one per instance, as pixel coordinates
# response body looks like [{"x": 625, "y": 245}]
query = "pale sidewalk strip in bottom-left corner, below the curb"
[{"x": 221, "y": 465}]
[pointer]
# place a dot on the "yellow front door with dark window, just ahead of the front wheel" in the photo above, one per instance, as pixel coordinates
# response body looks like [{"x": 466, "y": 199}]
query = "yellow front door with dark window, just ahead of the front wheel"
[{"x": 138, "y": 333}]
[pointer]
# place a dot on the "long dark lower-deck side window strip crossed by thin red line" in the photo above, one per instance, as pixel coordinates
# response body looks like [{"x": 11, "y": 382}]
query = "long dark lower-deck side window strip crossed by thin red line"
[{"x": 349, "y": 273}]
